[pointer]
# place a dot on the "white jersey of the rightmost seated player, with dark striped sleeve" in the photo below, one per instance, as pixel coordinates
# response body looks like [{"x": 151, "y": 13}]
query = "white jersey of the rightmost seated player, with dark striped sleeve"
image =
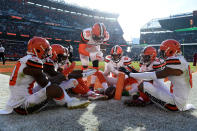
[{"x": 181, "y": 84}]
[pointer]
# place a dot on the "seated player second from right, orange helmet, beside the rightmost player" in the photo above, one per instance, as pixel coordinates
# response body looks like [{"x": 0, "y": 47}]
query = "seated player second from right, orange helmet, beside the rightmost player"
[{"x": 149, "y": 63}]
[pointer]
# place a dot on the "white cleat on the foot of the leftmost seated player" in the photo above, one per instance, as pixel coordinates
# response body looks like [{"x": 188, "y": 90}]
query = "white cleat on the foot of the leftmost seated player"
[{"x": 76, "y": 103}]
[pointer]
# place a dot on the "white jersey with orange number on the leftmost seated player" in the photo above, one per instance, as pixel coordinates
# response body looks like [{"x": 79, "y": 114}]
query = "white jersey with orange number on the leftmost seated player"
[{"x": 21, "y": 85}]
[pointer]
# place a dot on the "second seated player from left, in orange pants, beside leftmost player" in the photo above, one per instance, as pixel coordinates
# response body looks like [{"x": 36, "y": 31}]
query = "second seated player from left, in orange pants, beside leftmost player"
[{"x": 58, "y": 59}]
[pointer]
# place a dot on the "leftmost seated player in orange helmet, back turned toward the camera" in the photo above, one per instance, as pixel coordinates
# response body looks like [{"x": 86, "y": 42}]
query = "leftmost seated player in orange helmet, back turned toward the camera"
[{"x": 27, "y": 71}]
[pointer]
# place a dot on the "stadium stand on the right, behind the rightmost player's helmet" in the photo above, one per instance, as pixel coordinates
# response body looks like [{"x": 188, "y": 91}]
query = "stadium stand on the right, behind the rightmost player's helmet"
[{"x": 181, "y": 27}]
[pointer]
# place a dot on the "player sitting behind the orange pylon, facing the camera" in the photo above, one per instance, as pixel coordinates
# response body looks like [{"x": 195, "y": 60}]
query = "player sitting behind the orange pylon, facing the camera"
[{"x": 113, "y": 62}]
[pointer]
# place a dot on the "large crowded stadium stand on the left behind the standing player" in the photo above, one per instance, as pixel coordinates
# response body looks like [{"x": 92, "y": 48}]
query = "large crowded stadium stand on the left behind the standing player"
[{"x": 55, "y": 20}]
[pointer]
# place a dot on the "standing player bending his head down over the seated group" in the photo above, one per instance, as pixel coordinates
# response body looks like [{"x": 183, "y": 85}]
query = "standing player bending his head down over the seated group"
[{"x": 89, "y": 47}]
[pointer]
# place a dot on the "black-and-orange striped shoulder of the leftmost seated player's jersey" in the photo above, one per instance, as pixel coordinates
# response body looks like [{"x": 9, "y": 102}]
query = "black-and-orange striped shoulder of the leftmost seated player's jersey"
[{"x": 35, "y": 62}]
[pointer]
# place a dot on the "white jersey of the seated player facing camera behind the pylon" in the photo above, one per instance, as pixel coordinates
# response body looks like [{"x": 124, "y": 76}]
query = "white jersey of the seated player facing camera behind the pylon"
[{"x": 112, "y": 67}]
